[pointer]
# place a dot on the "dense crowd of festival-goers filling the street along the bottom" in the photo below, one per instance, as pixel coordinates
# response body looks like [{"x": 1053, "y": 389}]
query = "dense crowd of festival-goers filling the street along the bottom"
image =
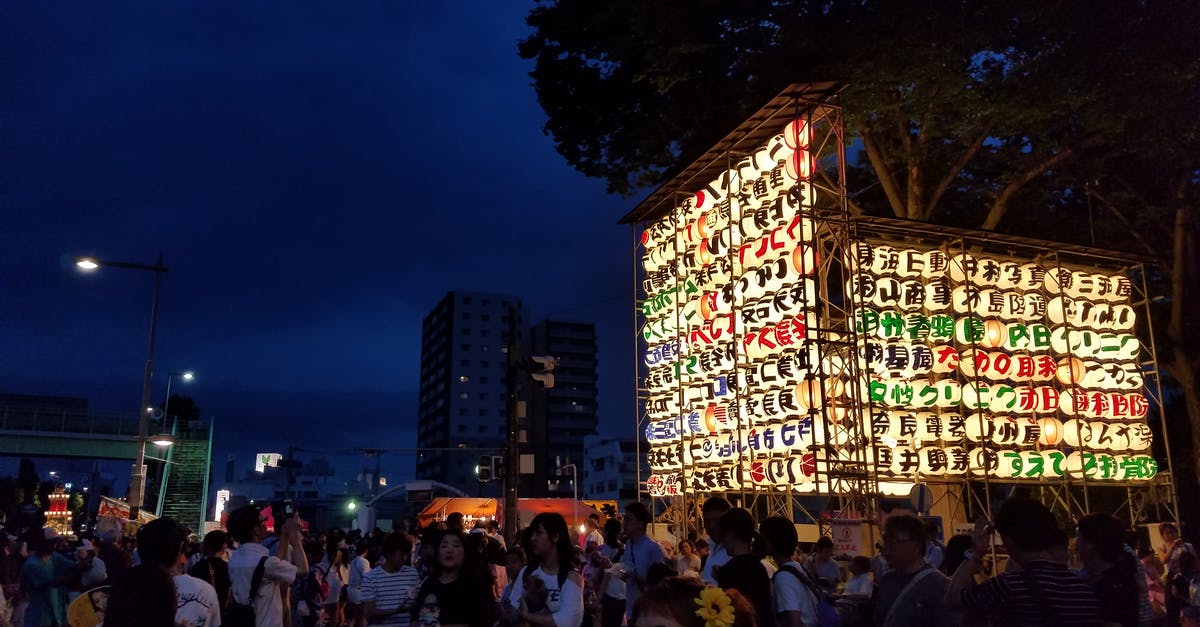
[{"x": 739, "y": 574}]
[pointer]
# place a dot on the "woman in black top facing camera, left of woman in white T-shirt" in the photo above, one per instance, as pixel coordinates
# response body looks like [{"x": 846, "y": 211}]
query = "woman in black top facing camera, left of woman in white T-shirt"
[{"x": 455, "y": 593}]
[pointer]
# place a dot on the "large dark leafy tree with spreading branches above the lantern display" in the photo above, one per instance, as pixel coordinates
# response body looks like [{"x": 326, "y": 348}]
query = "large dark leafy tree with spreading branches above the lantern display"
[{"x": 1024, "y": 117}]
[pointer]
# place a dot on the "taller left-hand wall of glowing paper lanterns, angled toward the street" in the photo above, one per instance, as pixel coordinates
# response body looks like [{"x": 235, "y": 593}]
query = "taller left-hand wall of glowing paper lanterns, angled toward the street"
[{"x": 729, "y": 302}]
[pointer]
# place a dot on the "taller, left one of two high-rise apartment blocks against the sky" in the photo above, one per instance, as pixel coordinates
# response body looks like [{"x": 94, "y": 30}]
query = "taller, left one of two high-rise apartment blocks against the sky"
[{"x": 464, "y": 403}]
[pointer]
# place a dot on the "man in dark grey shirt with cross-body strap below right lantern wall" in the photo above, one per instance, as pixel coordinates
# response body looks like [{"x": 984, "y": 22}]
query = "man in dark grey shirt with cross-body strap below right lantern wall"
[{"x": 913, "y": 590}]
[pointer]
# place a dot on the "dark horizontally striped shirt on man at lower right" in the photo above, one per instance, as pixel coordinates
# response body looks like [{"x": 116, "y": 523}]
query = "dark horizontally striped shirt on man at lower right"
[{"x": 1042, "y": 594}]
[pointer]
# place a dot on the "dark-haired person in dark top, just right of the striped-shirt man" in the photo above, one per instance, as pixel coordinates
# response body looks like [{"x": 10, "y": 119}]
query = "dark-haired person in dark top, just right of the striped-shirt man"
[{"x": 1108, "y": 569}]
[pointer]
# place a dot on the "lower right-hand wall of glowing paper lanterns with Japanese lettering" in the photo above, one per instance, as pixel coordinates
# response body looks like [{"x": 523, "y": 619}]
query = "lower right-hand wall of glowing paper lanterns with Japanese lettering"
[{"x": 986, "y": 366}]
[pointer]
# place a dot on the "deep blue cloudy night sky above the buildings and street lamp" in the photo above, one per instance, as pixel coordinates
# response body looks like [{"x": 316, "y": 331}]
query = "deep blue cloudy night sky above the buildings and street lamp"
[{"x": 317, "y": 178}]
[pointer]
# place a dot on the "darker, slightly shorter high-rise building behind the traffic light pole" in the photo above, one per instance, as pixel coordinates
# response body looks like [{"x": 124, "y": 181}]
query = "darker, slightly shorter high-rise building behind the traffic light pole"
[{"x": 561, "y": 417}]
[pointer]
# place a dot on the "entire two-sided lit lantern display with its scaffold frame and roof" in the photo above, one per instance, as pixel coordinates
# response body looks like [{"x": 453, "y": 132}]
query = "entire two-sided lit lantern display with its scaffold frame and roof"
[{"x": 811, "y": 362}]
